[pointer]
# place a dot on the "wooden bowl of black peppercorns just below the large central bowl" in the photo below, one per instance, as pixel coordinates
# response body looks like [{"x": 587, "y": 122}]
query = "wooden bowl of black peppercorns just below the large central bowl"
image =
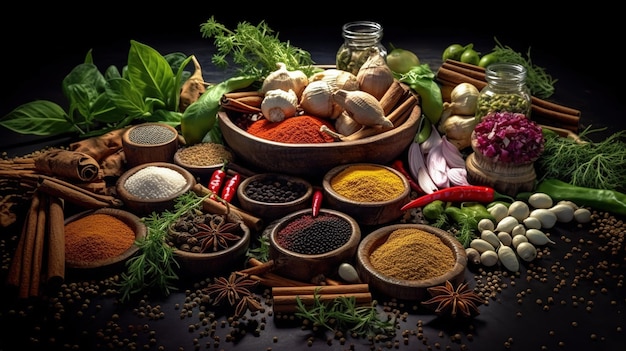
[{"x": 273, "y": 195}]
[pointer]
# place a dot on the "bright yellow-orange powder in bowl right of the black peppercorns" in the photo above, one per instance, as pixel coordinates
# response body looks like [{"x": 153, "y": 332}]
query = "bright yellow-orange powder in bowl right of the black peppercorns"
[{"x": 367, "y": 183}]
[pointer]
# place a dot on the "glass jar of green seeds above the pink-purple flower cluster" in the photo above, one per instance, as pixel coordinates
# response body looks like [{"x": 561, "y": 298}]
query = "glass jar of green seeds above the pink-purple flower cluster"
[{"x": 506, "y": 90}]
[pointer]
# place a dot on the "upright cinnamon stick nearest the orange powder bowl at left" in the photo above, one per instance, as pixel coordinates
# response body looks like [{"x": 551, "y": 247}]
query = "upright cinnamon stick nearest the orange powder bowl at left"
[{"x": 56, "y": 242}]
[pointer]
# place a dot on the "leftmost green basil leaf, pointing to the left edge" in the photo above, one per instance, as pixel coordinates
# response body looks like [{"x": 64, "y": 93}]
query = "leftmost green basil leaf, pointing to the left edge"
[{"x": 39, "y": 117}]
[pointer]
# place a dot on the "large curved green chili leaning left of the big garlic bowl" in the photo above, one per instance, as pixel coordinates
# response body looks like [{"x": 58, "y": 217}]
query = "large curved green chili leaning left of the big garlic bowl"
[{"x": 200, "y": 117}]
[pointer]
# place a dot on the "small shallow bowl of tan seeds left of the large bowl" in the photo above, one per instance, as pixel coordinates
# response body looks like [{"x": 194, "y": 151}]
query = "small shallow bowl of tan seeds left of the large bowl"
[{"x": 203, "y": 158}]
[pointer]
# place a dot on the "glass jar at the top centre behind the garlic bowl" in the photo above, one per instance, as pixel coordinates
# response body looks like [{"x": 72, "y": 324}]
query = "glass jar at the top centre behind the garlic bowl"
[{"x": 360, "y": 38}]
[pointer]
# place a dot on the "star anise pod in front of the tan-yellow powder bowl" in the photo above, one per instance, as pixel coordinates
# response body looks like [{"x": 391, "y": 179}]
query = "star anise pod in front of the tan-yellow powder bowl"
[{"x": 451, "y": 301}]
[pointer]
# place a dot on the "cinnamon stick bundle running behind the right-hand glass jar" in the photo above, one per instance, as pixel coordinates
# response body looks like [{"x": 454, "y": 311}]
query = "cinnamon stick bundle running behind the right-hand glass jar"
[{"x": 452, "y": 72}]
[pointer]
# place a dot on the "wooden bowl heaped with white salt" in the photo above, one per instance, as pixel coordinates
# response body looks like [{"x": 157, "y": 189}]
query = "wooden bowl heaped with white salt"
[{"x": 153, "y": 187}]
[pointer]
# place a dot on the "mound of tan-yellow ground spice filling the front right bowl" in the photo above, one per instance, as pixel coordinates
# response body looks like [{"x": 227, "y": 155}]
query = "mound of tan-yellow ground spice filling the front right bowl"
[{"x": 412, "y": 254}]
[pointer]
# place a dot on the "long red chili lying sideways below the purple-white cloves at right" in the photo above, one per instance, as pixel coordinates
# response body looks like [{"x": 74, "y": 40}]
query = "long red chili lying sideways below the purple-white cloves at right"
[{"x": 457, "y": 193}]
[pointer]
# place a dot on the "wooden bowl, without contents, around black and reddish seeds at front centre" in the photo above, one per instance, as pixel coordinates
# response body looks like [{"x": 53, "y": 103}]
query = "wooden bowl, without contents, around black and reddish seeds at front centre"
[{"x": 304, "y": 267}]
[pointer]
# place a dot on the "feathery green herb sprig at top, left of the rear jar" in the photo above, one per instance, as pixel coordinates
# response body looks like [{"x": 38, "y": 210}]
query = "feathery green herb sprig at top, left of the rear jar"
[{"x": 255, "y": 49}]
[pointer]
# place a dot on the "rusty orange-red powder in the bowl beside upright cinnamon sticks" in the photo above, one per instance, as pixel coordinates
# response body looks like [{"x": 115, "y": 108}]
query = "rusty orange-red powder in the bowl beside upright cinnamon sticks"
[{"x": 96, "y": 237}]
